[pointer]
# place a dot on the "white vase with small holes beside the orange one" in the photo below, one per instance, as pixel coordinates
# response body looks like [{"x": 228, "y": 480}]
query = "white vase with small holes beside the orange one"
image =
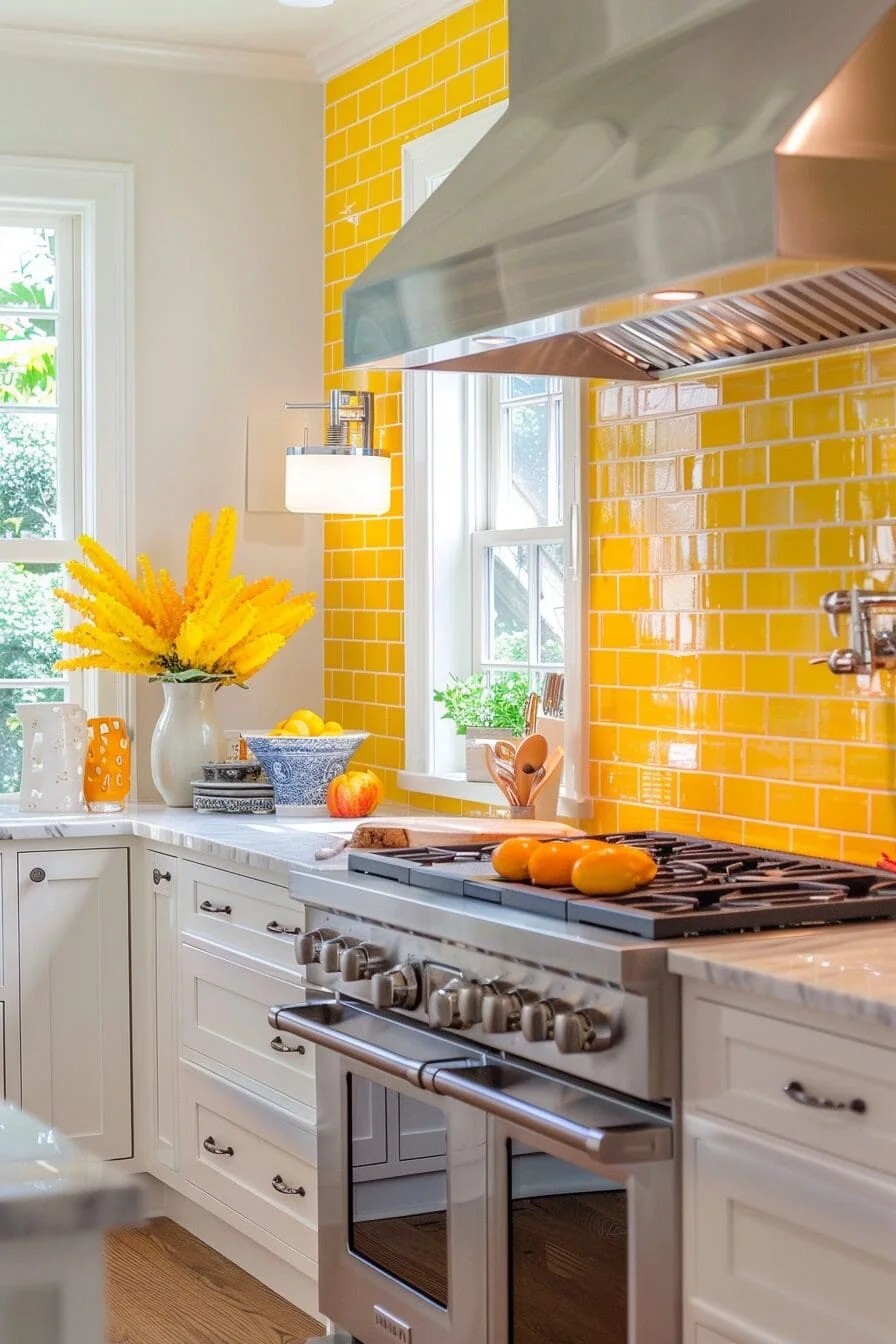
[{"x": 53, "y": 760}]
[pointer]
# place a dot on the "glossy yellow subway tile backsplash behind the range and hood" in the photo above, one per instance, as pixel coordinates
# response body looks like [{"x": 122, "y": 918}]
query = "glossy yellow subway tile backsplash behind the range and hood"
[{"x": 721, "y": 510}]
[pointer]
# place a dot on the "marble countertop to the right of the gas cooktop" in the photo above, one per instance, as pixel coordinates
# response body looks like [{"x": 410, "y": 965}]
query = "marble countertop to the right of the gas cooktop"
[{"x": 843, "y": 970}]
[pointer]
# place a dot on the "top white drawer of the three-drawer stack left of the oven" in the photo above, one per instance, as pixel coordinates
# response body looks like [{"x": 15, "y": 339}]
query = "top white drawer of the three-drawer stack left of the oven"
[{"x": 242, "y": 915}]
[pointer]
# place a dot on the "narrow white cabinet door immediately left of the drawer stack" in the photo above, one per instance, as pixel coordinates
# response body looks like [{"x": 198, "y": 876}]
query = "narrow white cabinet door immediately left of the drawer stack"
[{"x": 161, "y": 890}]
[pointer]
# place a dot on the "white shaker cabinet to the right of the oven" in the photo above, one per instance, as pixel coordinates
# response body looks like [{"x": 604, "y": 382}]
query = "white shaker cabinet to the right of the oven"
[{"x": 789, "y": 1174}]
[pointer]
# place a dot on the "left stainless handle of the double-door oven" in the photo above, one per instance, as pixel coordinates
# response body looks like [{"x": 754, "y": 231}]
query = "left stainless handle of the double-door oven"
[{"x": 373, "y": 1040}]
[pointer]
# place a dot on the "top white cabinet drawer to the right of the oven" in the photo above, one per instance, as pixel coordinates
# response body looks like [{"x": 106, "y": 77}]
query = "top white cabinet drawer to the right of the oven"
[{"x": 740, "y": 1064}]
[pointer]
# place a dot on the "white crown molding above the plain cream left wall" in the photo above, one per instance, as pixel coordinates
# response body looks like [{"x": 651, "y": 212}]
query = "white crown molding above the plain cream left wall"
[{"x": 169, "y": 56}]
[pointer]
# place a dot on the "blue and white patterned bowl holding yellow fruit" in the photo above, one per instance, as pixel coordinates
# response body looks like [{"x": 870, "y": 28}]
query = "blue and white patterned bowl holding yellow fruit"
[{"x": 302, "y": 768}]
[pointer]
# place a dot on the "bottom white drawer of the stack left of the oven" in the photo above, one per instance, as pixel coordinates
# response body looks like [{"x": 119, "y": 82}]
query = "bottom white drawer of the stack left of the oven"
[{"x": 268, "y": 1167}]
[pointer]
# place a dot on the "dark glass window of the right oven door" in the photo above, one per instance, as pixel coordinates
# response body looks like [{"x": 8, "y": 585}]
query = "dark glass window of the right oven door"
[{"x": 568, "y": 1252}]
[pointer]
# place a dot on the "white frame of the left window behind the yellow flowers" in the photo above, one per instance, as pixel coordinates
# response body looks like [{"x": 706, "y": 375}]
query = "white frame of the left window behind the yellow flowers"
[{"x": 97, "y": 198}]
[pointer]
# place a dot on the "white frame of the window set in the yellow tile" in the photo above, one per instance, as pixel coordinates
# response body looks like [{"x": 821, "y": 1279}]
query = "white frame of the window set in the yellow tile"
[{"x": 443, "y": 412}]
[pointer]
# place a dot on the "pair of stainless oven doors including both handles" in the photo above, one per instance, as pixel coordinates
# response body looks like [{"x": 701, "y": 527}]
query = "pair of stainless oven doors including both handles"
[{"x": 549, "y": 1217}]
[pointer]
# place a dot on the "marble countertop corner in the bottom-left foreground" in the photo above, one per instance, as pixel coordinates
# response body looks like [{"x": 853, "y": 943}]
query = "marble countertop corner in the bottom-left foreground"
[{"x": 49, "y": 1186}]
